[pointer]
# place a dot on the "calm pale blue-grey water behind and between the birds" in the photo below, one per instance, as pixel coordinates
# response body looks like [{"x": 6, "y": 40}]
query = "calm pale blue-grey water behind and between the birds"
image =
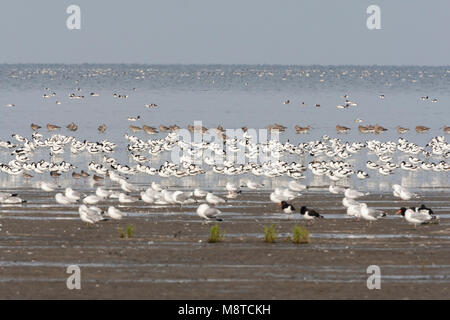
[{"x": 233, "y": 96}]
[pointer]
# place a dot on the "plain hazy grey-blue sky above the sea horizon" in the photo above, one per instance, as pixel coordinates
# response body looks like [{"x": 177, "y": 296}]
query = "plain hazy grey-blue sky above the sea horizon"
[{"x": 302, "y": 32}]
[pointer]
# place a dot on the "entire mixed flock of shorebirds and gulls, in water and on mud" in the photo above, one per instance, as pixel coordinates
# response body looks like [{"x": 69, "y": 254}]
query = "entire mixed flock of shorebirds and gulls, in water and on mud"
[{"x": 233, "y": 156}]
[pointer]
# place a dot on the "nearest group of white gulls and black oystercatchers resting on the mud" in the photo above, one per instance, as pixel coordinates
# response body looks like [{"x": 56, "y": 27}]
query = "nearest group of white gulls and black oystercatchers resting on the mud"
[{"x": 156, "y": 194}]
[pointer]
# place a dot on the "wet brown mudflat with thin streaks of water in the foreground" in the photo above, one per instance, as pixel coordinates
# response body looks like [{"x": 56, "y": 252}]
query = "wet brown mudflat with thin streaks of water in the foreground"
[{"x": 168, "y": 256}]
